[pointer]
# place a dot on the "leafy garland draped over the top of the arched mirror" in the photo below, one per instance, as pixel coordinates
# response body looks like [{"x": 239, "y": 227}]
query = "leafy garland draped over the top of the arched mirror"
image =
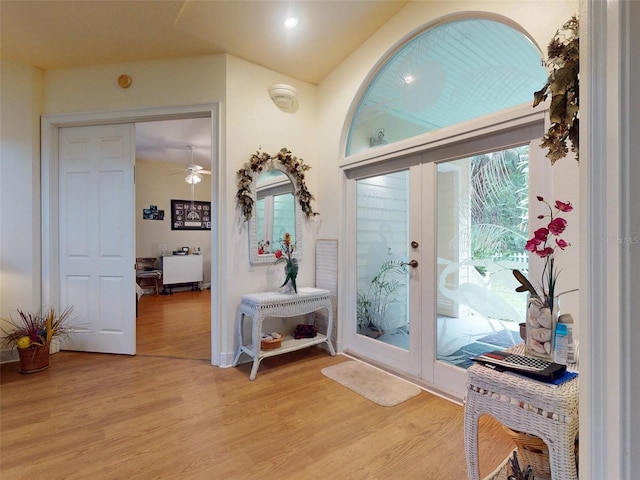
[{"x": 259, "y": 161}]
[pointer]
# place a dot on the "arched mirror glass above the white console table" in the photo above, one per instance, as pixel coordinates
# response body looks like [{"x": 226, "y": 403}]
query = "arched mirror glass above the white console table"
[{"x": 276, "y": 213}]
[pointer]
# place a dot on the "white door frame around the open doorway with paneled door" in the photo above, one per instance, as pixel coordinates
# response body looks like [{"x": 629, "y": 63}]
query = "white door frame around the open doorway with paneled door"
[{"x": 49, "y": 194}]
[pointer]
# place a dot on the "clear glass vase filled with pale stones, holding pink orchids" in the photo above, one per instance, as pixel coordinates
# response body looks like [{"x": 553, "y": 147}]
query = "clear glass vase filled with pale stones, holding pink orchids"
[{"x": 542, "y": 317}]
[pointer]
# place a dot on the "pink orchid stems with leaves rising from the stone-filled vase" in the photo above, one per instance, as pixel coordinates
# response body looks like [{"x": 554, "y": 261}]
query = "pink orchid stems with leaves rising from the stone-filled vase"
[{"x": 545, "y": 242}]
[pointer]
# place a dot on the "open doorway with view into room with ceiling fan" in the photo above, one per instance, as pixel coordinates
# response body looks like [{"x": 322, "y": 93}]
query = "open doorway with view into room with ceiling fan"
[{"x": 173, "y": 165}]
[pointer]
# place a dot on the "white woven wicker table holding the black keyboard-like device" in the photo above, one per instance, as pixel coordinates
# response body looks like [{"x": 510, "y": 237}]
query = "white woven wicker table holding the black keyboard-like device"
[{"x": 527, "y": 406}]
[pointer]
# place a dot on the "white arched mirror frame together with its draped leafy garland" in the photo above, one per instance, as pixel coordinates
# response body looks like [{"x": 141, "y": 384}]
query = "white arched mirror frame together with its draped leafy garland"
[{"x": 246, "y": 196}]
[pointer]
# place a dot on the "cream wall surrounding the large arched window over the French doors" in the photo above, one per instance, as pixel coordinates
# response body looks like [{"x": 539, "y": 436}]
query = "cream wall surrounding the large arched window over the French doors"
[{"x": 336, "y": 94}]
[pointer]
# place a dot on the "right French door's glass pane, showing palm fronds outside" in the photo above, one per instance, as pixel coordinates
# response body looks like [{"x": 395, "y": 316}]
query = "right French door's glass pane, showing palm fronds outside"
[{"x": 482, "y": 227}]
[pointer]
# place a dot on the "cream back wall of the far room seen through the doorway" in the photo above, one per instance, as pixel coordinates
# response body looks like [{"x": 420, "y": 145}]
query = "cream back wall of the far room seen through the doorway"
[{"x": 155, "y": 185}]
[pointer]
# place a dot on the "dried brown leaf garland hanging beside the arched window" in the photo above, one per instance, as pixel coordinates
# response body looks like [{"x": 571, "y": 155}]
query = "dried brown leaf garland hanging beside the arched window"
[{"x": 563, "y": 84}]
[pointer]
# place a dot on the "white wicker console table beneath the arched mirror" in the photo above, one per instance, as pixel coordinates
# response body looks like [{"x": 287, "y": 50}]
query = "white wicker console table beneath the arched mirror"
[{"x": 259, "y": 306}]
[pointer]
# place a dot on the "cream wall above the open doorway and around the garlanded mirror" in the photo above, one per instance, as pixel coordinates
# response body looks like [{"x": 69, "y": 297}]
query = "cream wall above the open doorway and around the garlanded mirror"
[{"x": 249, "y": 120}]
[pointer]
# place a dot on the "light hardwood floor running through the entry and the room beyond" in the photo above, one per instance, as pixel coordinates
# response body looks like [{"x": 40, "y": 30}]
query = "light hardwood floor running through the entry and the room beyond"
[{"x": 151, "y": 416}]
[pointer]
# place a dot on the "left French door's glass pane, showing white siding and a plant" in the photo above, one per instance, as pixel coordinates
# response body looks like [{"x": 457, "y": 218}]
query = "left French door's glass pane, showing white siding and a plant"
[{"x": 382, "y": 240}]
